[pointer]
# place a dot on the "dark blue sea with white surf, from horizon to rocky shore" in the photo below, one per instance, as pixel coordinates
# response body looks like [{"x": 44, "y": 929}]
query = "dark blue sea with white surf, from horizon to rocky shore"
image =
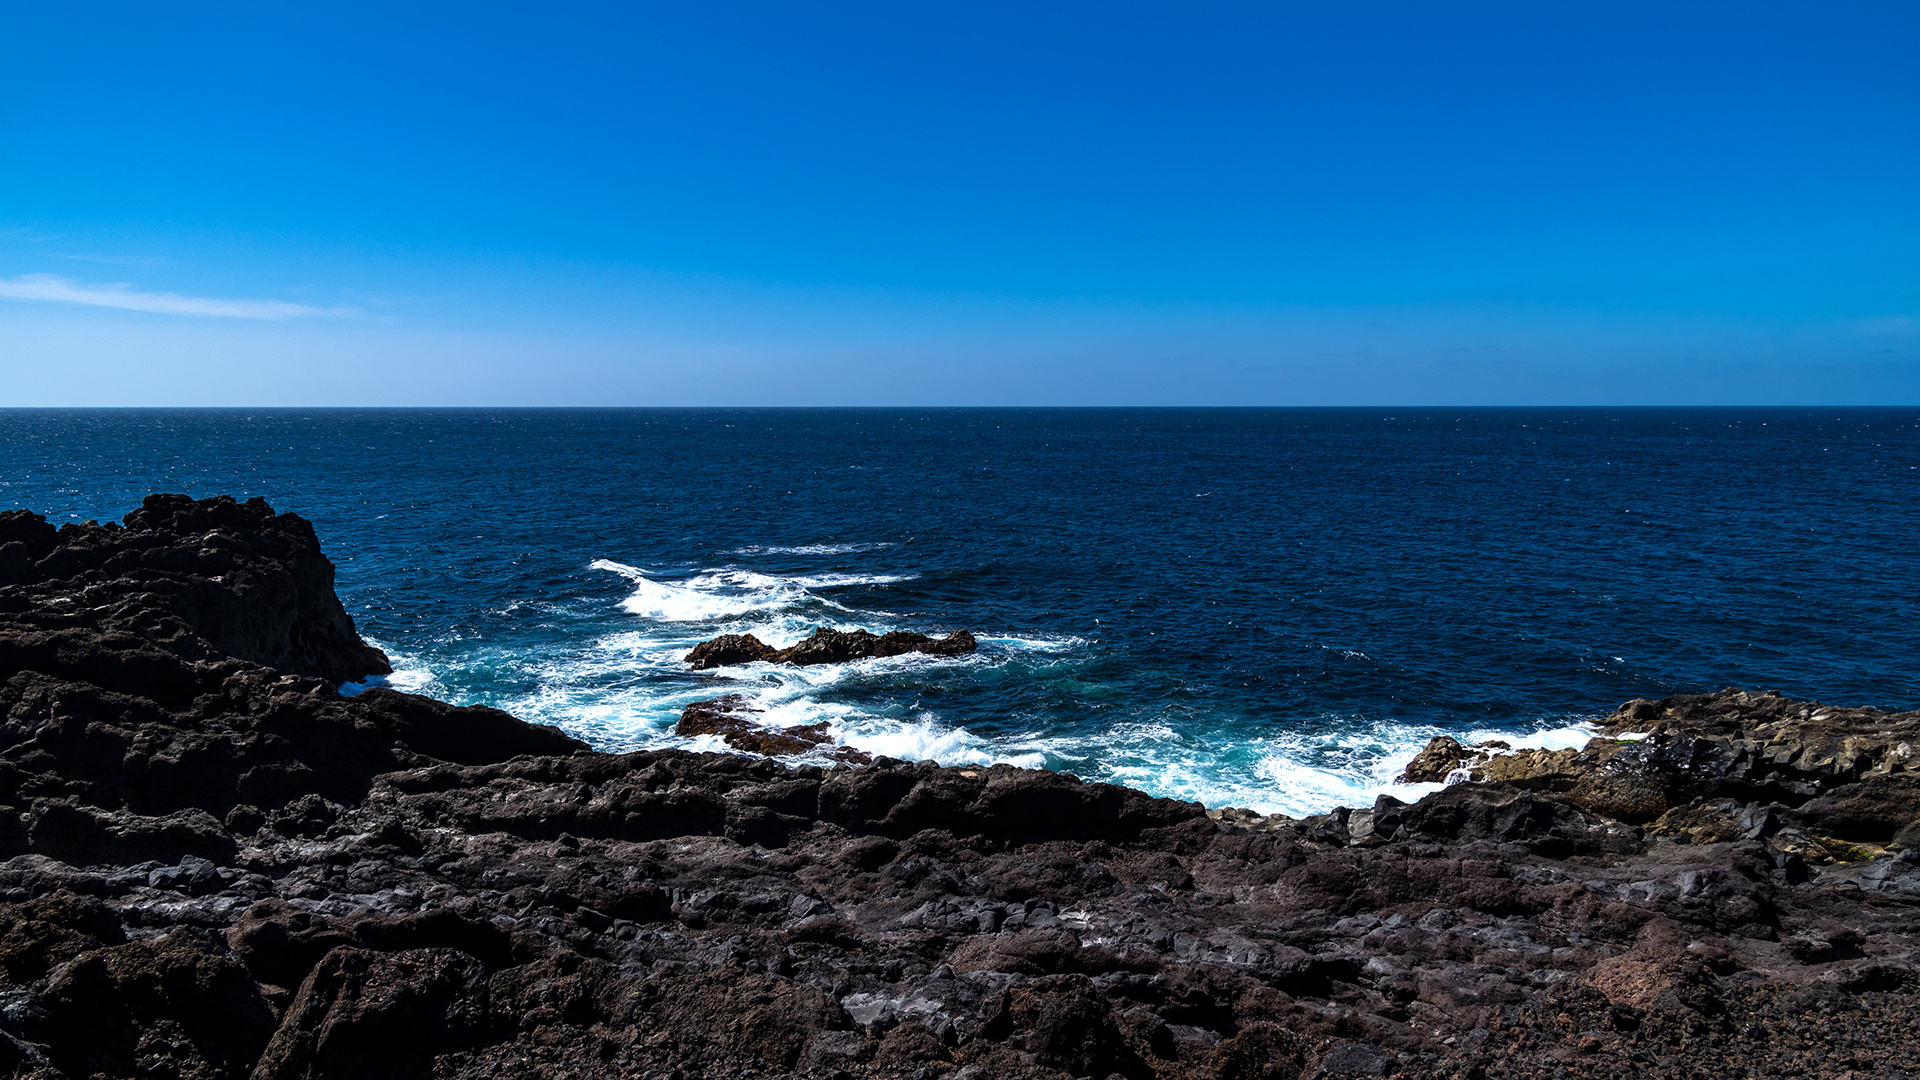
[{"x": 1266, "y": 608}]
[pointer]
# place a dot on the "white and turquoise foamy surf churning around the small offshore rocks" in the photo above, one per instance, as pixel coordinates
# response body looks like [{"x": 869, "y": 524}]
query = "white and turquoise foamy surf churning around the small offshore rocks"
[{"x": 627, "y": 689}]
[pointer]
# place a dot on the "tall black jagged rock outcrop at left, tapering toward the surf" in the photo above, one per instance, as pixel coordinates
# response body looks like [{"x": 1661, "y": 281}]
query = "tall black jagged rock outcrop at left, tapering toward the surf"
[{"x": 143, "y": 710}]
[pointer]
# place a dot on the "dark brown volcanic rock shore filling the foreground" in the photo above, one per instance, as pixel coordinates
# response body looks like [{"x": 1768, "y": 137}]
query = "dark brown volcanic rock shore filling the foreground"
[{"x": 216, "y": 866}]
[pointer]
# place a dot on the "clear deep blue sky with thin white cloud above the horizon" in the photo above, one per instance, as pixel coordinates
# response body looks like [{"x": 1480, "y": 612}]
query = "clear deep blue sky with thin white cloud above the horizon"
[{"x": 959, "y": 205}]
